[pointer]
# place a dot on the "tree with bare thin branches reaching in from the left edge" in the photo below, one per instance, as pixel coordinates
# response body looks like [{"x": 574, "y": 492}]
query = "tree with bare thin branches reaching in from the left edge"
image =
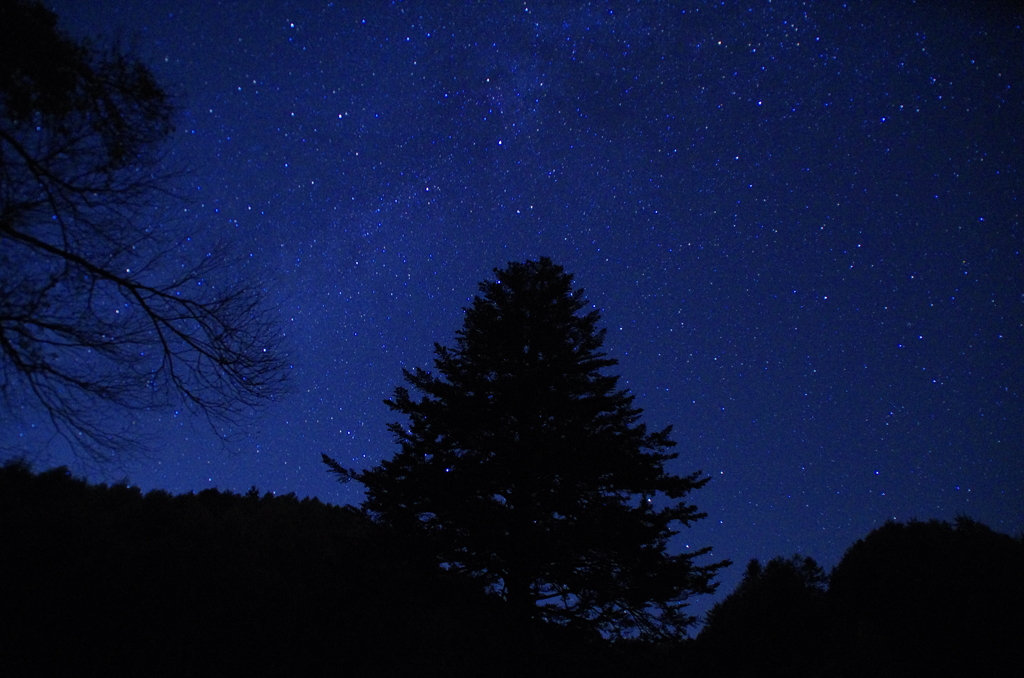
[{"x": 100, "y": 311}]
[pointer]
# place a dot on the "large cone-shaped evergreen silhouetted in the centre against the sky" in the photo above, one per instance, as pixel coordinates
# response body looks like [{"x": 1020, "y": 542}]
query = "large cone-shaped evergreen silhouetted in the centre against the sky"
[{"x": 524, "y": 465}]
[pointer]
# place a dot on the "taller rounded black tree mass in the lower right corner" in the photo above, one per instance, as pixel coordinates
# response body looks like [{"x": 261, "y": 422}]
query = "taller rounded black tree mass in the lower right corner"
[{"x": 930, "y": 599}]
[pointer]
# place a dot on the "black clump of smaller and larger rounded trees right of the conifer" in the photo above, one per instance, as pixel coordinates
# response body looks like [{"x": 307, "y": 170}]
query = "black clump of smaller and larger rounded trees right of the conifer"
[{"x": 910, "y": 600}]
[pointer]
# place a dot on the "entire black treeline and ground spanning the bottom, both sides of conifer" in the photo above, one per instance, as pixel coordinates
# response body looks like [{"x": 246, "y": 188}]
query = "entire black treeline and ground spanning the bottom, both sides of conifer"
[{"x": 106, "y": 580}]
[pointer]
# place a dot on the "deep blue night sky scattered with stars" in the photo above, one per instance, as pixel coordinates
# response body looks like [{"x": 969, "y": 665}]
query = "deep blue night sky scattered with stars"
[{"x": 801, "y": 223}]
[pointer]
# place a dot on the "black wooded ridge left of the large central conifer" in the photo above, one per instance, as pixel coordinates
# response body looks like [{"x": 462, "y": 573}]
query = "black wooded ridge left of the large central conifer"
[{"x": 104, "y": 580}]
